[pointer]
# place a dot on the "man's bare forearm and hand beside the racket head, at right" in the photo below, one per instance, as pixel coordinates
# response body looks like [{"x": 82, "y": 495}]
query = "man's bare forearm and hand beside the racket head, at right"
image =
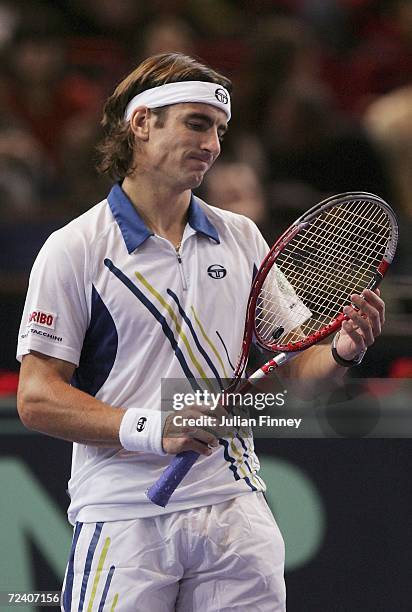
[{"x": 358, "y": 332}]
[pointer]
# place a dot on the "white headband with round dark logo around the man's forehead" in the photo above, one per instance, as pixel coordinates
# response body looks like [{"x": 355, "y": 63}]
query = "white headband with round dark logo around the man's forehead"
[{"x": 182, "y": 91}]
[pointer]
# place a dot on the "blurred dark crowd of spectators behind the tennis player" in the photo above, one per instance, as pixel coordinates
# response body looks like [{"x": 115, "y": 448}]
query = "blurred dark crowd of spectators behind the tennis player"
[{"x": 322, "y": 104}]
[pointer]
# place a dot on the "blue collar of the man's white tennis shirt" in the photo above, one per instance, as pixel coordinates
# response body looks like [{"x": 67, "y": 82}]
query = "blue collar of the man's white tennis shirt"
[{"x": 134, "y": 229}]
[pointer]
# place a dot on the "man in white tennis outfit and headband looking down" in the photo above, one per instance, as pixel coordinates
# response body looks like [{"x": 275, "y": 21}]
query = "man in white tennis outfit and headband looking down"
[{"x": 153, "y": 283}]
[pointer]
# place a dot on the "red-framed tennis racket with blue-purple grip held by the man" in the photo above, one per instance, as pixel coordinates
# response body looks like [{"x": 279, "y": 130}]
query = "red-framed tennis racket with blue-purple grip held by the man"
[{"x": 341, "y": 246}]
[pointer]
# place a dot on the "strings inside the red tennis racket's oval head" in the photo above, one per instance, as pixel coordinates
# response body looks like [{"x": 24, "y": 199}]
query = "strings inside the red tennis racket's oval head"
[{"x": 335, "y": 256}]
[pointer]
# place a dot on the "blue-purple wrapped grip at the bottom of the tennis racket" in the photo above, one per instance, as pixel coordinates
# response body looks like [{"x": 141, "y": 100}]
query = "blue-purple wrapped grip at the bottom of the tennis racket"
[{"x": 162, "y": 490}]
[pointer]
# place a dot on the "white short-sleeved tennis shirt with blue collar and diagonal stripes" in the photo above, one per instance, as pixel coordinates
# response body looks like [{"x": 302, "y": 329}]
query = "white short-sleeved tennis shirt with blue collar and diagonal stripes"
[{"x": 109, "y": 296}]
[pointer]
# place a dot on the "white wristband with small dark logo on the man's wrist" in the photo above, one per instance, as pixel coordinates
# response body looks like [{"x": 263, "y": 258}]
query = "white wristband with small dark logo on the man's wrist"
[{"x": 141, "y": 430}]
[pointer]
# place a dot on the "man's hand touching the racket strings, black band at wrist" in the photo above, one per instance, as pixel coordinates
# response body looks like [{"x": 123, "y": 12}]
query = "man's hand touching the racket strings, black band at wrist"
[{"x": 363, "y": 326}]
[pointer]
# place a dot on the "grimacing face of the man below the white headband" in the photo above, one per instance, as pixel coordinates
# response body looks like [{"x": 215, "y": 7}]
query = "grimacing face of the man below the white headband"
[{"x": 181, "y": 151}]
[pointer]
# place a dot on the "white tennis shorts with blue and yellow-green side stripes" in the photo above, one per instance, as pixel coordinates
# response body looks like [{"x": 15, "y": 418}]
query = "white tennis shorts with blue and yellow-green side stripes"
[{"x": 228, "y": 556}]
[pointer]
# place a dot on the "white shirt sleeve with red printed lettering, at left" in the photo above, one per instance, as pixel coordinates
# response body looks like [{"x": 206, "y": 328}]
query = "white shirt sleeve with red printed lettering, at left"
[{"x": 56, "y": 311}]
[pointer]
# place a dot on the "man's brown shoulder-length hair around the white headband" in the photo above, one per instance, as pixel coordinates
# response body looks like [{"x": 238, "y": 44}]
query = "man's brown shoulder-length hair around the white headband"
[{"x": 116, "y": 147}]
